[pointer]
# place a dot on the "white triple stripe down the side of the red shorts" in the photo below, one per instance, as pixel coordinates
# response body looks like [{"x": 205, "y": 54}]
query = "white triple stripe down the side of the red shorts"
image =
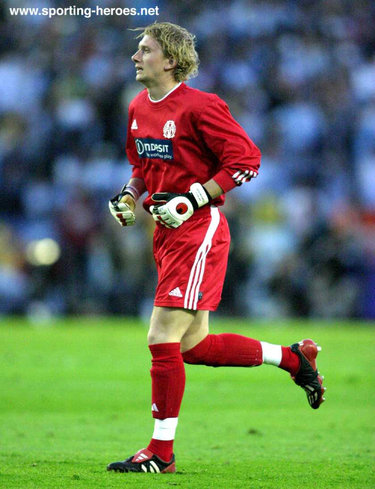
[{"x": 197, "y": 271}]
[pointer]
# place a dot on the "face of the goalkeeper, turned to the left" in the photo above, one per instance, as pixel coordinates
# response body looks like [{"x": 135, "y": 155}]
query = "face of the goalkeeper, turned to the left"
[{"x": 149, "y": 61}]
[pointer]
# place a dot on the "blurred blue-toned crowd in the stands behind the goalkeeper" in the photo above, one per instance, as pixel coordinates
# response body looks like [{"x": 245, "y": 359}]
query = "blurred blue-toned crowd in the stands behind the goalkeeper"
[{"x": 300, "y": 78}]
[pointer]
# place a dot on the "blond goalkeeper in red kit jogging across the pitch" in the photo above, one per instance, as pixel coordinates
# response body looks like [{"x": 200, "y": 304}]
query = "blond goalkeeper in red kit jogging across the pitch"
[{"x": 187, "y": 151}]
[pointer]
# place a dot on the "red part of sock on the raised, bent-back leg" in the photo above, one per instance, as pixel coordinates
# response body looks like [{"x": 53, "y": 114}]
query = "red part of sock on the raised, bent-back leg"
[{"x": 225, "y": 350}]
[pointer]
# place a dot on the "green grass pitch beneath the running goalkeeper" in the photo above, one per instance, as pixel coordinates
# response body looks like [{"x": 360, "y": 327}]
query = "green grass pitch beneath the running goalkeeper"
[{"x": 76, "y": 396}]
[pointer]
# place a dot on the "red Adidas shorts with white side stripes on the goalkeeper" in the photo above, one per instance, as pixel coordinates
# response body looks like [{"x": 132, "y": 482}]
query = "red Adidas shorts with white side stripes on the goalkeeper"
[{"x": 192, "y": 261}]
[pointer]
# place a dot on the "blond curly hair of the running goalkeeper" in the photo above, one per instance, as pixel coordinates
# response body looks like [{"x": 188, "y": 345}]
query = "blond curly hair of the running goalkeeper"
[{"x": 177, "y": 43}]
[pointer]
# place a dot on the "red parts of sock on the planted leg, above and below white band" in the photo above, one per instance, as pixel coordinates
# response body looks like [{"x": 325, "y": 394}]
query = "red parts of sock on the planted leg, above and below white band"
[{"x": 168, "y": 384}]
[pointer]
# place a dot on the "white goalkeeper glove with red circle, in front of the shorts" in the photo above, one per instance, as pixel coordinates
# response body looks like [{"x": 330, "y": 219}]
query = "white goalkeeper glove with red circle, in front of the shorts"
[{"x": 174, "y": 209}]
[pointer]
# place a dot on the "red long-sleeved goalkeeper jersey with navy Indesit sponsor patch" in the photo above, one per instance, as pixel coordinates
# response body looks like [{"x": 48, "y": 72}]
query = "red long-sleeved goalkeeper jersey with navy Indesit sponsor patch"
[{"x": 186, "y": 137}]
